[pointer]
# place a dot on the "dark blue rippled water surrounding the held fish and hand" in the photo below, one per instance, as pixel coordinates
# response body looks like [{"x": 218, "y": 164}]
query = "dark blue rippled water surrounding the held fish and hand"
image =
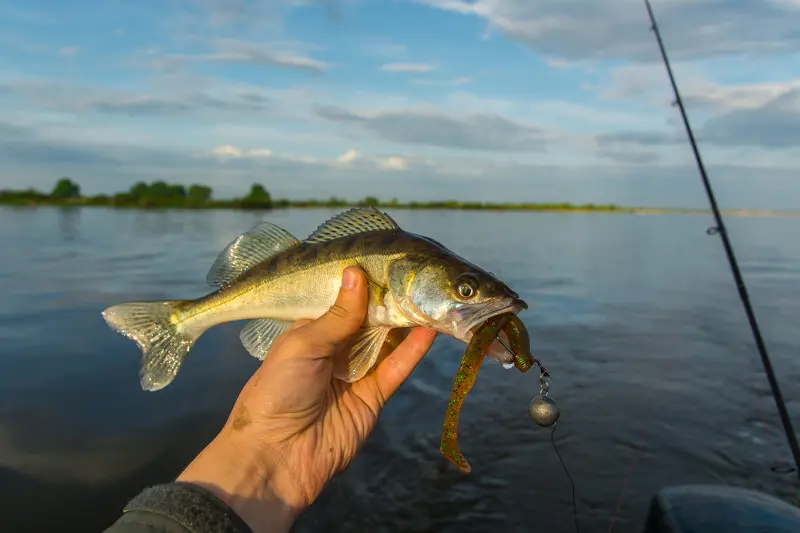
[{"x": 636, "y": 317}]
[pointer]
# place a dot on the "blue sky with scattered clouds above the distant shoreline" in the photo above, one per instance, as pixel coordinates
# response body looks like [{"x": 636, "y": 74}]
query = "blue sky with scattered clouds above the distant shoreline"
[{"x": 480, "y": 100}]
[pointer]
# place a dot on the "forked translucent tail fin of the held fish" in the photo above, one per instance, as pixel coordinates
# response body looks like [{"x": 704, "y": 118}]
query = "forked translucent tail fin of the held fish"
[{"x": 160, "y": 334}]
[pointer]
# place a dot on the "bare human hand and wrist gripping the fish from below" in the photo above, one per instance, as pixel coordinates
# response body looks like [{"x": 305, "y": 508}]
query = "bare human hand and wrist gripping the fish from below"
[{"x": 293, "y": 426}]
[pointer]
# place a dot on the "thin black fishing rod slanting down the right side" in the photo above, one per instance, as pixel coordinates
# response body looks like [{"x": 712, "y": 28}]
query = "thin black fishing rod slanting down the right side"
[{"x": 720, "y": 229}]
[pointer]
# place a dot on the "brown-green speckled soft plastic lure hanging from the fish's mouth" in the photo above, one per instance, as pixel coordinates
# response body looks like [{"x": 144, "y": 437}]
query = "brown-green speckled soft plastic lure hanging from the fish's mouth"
[{"x": 468, "y": 373}]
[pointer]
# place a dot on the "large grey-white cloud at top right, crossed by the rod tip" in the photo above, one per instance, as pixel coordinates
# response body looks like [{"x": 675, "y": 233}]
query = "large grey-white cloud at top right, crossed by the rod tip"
[{"x": 620, "y": 29}]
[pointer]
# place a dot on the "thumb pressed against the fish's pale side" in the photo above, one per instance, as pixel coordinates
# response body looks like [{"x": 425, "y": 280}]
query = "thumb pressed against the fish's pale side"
[{"x": 345, "y": 316}]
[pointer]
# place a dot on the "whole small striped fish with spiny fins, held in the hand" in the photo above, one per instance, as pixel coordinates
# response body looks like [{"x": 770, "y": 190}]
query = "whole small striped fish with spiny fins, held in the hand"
[{"x": 270, "y": 278}]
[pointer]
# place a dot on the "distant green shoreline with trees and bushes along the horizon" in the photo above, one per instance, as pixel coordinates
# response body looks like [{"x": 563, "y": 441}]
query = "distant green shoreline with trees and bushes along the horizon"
[{"x": 162, "y": 195}]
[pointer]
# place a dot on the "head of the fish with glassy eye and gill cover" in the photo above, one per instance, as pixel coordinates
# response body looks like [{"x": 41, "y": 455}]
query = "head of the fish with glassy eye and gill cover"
[{"x": 451, "y": 295}]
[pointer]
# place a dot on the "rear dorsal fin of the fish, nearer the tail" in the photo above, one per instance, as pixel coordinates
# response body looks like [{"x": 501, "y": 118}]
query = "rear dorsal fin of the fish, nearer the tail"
[{"x": 262, "y": 242}]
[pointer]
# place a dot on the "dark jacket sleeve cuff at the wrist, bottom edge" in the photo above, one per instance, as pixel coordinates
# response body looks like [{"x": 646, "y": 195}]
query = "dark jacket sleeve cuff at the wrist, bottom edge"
[{"x": 178, "y": 508}]
